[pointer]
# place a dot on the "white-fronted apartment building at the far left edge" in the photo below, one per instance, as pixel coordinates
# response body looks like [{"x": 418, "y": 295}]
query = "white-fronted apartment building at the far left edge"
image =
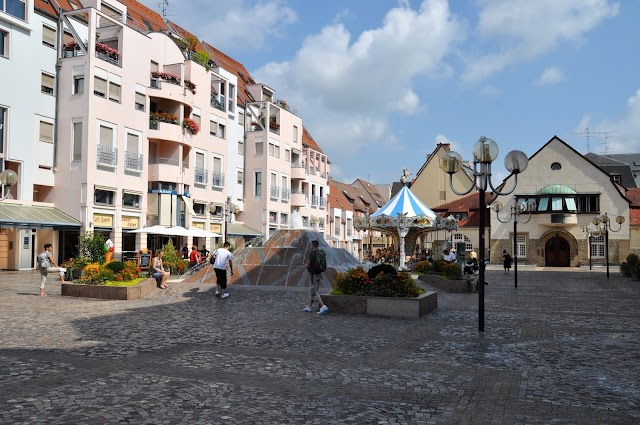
[{"x": 28, "y": 219}]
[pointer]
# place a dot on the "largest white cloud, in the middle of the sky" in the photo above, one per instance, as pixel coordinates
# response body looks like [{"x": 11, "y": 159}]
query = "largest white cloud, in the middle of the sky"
[{"x": 346, "y": 87}]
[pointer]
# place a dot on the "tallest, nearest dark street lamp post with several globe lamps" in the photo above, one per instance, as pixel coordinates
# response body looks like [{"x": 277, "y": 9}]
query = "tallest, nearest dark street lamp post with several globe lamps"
[{"x": 485, "y": 151}]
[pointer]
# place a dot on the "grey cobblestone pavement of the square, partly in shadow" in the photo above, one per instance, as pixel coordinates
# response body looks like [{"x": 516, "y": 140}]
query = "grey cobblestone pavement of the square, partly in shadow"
[{"x": 562, "y": 348}]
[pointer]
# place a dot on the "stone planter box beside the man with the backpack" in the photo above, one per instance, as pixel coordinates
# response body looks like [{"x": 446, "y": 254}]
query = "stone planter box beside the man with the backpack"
[{"x": 382, "y": 306}]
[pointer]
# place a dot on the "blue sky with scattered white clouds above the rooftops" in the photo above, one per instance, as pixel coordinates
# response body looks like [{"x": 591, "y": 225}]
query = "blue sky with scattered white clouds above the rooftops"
[{"x": 378, "y": 83}]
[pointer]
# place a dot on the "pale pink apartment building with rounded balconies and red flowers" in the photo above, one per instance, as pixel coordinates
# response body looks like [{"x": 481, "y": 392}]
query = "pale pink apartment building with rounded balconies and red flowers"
[{"x": 143, "y": 126}]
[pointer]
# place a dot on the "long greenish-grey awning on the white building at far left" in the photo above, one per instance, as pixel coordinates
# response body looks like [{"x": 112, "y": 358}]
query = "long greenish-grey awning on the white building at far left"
[{"x": 35, "y": 217}]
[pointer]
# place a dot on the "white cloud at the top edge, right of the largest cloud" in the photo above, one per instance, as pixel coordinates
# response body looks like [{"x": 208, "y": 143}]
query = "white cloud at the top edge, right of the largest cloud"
[{"x": 519, "y": 30}]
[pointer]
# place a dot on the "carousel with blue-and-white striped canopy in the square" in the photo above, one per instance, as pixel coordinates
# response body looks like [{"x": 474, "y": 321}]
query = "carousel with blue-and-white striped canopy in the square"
[{"x": 406, "y": 217}]
